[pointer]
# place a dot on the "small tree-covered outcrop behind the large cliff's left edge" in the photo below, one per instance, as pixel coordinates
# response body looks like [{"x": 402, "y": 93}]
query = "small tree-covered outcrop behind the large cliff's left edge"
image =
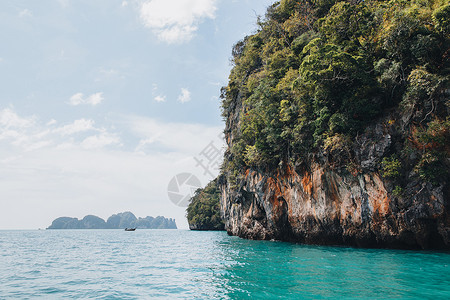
[{"x": 203, "y": 212}]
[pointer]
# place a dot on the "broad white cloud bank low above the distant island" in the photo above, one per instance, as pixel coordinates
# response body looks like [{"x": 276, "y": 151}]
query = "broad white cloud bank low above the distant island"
[{"x": 49, "y": 168}]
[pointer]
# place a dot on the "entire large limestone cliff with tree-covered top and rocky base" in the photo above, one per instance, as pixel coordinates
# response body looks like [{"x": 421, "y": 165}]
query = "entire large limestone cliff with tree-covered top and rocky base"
[{"x": 338, "y": 127}]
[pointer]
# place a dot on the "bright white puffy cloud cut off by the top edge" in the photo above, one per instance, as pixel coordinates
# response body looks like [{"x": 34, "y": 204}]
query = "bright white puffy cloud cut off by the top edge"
[{"x": 176, "y": 21}]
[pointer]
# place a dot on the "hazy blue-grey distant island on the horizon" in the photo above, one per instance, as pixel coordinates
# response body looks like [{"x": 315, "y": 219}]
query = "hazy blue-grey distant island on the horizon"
[{"x": 117, "y": 221}]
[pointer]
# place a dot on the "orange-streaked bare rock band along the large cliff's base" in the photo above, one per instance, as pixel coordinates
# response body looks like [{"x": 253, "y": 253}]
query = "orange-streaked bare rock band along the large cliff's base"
[{"x": 320, "y": 206}]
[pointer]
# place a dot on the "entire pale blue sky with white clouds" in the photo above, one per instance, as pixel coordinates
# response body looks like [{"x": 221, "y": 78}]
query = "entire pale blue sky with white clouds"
[{"x": 109, "y": 105}]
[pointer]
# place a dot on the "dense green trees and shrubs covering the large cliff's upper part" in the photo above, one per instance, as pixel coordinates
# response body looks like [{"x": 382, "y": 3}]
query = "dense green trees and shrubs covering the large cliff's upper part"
[{"x": 317, "y": 72}]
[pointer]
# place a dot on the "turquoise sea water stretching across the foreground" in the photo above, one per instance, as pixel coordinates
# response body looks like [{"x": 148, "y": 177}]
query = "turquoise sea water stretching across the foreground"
[{"x": 181, "y": 264}]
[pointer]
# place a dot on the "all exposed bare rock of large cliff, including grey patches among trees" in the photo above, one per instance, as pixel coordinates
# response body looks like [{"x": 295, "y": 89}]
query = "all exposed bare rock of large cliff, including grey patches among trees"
[{"x": 319, "y": 202}]
